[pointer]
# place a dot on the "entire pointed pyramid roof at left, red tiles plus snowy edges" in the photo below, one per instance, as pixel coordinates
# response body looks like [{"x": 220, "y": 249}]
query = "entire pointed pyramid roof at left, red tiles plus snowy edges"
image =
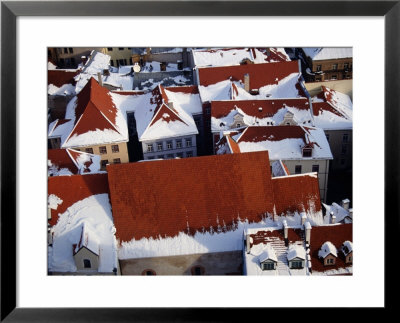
[{"x": 94, "y": 118}]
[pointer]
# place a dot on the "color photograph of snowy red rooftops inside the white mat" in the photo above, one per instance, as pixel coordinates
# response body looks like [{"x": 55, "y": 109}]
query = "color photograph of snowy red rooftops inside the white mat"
[{"x": 200, "y": 161}]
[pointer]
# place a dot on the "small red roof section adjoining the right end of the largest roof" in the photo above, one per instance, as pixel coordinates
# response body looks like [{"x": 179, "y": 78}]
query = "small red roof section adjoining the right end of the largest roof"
[{"x": 296, "y": 193}]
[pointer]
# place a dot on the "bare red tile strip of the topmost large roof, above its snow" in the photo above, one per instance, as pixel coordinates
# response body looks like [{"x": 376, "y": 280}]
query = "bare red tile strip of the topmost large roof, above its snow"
[{"x": 259, "y": 74}]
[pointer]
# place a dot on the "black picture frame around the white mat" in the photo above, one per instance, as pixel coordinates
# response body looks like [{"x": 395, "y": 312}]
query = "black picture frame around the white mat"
[{"x": 10, "y": 10}]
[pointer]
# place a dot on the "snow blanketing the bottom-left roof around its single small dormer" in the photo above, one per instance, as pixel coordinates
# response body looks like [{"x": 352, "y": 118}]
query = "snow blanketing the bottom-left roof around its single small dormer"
[{"x": 94, "y": 214}]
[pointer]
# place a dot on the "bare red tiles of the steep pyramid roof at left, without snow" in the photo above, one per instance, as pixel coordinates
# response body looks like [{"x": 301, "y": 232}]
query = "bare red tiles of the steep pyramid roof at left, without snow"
[{"x": 94, "y": 110}]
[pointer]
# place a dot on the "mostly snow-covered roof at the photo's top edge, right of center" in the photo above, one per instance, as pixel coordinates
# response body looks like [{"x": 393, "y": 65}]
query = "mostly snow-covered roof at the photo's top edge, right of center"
[{"x": 235, "y": 56}]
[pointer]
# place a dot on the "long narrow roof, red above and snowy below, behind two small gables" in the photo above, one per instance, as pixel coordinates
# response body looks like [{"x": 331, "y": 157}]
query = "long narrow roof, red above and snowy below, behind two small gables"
[{"x": 258, "y": 112}]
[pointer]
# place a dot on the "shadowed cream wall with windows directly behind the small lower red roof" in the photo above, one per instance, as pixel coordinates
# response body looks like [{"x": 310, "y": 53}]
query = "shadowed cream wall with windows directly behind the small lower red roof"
[{"x": 306, "y": 167}]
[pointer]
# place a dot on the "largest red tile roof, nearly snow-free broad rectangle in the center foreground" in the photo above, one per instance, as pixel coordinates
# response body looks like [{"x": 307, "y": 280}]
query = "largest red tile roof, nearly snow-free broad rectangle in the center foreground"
[{"x": 163, "y": 198}]
